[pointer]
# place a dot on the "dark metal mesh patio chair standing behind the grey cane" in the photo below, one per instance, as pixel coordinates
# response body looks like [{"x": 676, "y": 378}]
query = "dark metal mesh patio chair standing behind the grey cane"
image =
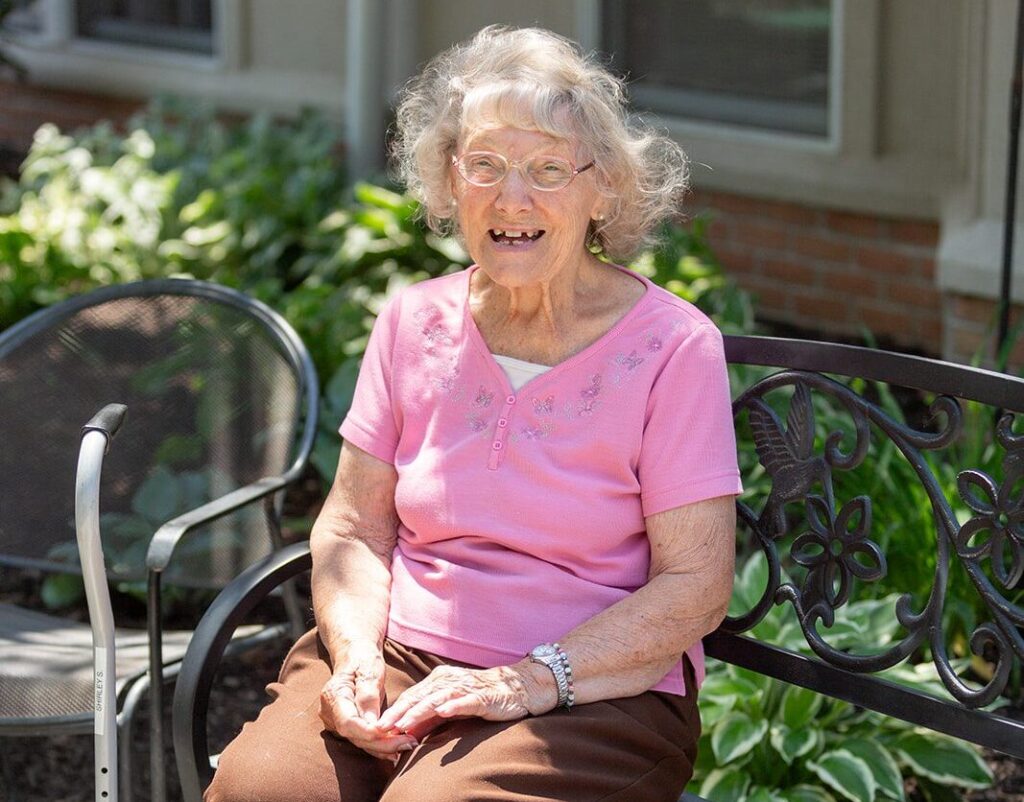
[{"x": 224, "y": 414}]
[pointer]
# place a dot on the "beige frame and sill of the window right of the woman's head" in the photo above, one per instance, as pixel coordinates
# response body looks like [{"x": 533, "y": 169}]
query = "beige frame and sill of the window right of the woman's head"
[{"x": 847, "y": 171}]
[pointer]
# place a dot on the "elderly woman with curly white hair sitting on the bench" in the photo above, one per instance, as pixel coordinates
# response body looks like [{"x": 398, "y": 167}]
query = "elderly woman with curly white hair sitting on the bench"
[{"x": 532, "y": 525}]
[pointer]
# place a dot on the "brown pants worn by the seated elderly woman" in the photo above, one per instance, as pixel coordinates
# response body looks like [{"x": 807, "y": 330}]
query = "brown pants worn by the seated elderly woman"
[{"x": 629, "y": 750}]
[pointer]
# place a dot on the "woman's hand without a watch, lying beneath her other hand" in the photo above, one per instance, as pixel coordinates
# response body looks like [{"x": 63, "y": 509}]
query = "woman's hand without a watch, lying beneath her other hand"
[{"x": 351, "y": 704}]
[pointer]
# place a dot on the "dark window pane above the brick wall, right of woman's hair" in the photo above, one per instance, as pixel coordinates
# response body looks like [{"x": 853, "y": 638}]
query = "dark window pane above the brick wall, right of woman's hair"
[{"x": 755, "y": 64}]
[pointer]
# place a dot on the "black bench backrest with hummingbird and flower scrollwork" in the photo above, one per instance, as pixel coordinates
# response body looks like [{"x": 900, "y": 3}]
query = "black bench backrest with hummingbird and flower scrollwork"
[{"x": 850, "y": 494}]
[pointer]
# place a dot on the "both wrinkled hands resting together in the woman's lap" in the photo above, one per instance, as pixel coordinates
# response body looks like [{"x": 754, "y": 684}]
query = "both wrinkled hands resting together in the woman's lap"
[{"x": 351, "y": 702}]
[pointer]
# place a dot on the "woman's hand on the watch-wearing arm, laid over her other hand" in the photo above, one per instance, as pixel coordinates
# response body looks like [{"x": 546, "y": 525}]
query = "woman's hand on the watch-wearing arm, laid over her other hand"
[{"x": 502, "y": 694}]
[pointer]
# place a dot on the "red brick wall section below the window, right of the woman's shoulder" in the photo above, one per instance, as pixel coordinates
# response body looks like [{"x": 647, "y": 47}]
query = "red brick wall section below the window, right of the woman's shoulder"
[{"x": 831, "y": 272}]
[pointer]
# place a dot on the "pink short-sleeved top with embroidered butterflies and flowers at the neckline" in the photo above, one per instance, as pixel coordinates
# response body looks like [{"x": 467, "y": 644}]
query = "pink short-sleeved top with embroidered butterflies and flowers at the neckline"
[{"x": 523, "y": 514}]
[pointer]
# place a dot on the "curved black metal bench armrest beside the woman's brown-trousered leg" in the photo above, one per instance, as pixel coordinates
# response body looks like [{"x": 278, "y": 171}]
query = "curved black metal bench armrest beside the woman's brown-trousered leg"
[{"x": 192, "y": 692}]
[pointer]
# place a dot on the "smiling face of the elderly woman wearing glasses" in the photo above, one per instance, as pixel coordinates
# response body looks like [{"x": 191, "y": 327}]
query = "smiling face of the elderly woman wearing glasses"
[{"x": 549, "y": 228}]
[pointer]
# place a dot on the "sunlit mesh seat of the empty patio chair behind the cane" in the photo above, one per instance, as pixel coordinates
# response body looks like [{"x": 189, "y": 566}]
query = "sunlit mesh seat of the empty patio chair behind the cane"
[{"x": 47, "y": 665}]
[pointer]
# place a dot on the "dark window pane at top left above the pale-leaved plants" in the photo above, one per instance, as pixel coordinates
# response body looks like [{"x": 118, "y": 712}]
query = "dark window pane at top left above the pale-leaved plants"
[{"x": 185, "y": 26}]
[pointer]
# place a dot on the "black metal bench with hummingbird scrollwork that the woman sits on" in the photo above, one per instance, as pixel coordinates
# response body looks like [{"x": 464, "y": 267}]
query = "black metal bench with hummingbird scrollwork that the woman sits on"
[{"x": 800, "y": 462}]
